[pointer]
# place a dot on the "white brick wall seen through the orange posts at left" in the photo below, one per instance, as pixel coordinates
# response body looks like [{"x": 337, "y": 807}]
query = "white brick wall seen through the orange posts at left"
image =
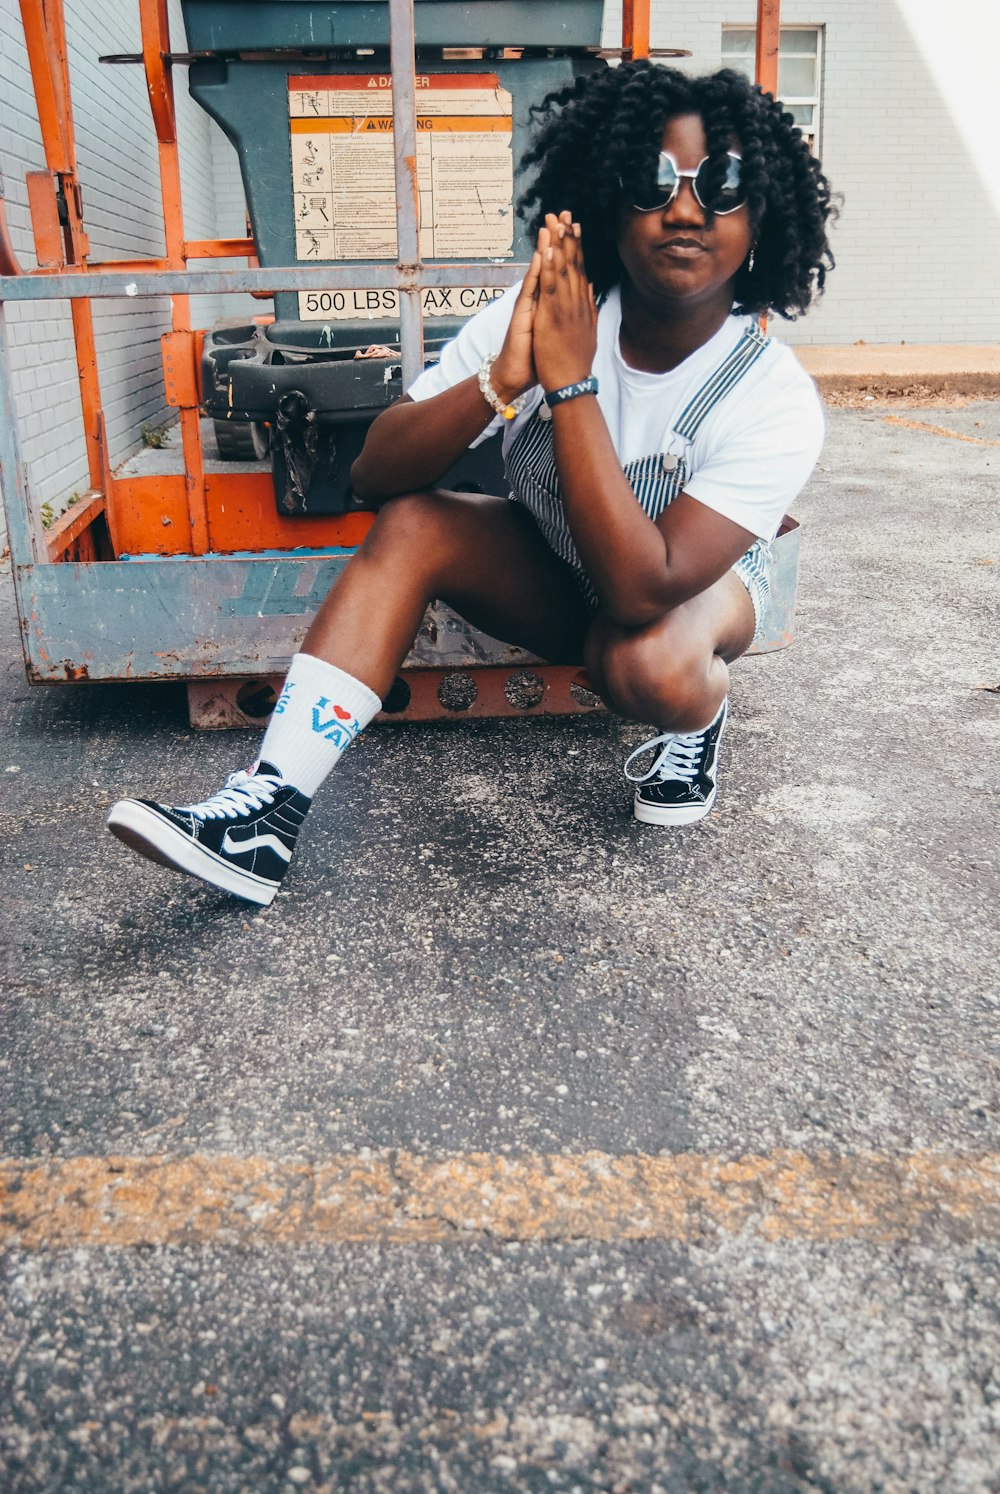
[{"x": 117, "y": 159}]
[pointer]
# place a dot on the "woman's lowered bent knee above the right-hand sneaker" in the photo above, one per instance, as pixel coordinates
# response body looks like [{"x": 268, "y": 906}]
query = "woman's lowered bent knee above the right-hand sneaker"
[{"x": 655, "y": 676}]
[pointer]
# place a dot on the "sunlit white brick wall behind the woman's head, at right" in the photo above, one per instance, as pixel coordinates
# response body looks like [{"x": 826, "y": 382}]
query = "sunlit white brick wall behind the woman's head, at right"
[{"x": 917, "y": 243}]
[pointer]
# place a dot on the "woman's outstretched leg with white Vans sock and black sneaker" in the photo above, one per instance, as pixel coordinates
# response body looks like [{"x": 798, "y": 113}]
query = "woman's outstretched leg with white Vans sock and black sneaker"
[{"x": 482, "y": 555}]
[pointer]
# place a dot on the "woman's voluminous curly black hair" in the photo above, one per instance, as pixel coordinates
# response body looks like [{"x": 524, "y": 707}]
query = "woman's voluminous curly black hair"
[{"x": 597, "y": 147}]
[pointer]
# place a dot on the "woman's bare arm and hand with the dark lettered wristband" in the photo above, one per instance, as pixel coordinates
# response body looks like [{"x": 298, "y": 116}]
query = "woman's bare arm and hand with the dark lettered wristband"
[{"x": 641, "y": 570}]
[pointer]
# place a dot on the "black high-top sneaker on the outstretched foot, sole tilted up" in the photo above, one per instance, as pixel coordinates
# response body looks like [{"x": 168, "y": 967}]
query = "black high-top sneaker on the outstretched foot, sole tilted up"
[{"x": 240, "y": 840}]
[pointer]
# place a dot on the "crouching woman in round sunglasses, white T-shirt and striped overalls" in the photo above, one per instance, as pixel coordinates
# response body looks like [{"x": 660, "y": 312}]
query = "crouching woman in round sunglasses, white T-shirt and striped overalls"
[{"x": 654, "y": 440}]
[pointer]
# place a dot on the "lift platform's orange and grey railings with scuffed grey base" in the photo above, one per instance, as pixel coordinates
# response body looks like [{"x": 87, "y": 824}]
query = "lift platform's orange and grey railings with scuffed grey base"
[{"x": 177, "y": 567}]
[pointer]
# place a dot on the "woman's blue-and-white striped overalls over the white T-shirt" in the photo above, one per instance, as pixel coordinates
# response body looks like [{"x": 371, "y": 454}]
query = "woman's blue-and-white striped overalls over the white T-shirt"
[{"x": 655, "y": 480}]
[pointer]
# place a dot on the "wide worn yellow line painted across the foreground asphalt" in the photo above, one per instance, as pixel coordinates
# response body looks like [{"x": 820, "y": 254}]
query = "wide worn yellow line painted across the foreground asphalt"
[{"x": 403, "y": 1199}]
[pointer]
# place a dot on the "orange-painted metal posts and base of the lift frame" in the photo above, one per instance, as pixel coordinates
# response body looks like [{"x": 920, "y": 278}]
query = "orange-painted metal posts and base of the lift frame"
[{"x": 194, "y": 513}]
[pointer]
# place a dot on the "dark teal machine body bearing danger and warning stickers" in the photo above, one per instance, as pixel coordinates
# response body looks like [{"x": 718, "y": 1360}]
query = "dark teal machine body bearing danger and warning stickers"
[{"x": 315, "y": 138}]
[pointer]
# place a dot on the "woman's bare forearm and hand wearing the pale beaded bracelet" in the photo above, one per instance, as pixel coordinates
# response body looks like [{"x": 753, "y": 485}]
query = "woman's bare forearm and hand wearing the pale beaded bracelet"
[{"x": 412, "y": 444}]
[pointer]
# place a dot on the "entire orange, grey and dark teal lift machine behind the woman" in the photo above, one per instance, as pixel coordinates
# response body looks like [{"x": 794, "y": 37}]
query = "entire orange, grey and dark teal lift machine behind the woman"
[{"x": 212, "y": 576}]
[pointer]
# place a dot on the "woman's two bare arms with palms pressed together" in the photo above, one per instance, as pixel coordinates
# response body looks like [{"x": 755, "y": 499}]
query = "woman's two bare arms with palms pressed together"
[{"x": 641, "y": 570}]
